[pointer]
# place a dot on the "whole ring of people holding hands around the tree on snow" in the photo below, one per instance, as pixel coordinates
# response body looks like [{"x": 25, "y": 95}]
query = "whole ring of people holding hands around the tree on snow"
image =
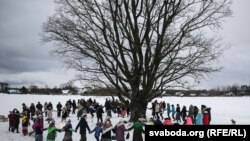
[{"x": 36, "y": 115}]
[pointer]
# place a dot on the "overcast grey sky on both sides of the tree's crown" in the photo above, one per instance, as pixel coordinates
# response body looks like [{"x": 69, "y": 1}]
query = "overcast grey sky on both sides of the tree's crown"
[{"x": 24, "y": 60}]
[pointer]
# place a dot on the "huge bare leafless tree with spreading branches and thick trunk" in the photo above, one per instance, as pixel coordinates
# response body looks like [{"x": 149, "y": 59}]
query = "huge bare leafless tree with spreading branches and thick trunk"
[{"x": 140, "y": 47}]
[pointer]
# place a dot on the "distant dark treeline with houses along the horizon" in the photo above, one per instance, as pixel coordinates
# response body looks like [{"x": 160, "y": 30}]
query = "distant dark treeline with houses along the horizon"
[{"x": 235, "y": 90}]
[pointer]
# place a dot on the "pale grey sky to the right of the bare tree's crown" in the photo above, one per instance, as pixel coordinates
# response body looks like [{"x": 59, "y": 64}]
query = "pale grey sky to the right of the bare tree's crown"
[{"x": 235, "y": 60}]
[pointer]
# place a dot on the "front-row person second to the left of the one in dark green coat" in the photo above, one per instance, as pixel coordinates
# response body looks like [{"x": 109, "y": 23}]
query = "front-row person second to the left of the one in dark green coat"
[{"x": 107, "y": 128}]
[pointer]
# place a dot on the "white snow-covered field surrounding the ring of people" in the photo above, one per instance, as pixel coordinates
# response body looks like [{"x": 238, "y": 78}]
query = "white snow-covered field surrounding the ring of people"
[{"x": 223, "y": 110}]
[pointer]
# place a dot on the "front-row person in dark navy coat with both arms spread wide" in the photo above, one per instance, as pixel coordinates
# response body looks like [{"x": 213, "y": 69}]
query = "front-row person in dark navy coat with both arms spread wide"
[{"x": 83, "y": 126}]
